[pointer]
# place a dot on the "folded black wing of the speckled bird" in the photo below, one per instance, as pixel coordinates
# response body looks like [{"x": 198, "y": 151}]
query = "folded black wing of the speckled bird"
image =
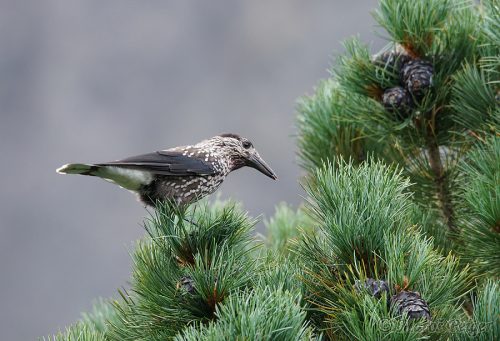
[{"x": 165, "y": 163}]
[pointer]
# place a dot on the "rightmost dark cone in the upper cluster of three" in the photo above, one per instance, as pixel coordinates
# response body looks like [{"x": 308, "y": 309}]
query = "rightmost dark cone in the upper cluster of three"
[{"x": 416, "y": 75}]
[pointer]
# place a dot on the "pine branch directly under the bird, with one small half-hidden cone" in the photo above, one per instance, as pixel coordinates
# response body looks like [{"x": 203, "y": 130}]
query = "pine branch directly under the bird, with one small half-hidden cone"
[{"x": 194, "y": 259}]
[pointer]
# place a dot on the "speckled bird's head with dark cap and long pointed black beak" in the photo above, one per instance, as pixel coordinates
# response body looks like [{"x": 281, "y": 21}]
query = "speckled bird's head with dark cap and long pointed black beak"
[{"x": 241, "y": 152}]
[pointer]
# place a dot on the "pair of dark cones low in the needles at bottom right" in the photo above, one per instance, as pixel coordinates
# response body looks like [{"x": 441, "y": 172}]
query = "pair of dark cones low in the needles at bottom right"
[{"x": 404, "y": 302}]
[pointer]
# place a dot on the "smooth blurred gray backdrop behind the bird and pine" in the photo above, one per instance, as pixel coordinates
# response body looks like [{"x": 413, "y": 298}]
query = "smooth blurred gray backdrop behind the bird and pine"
[{"x": 97, "y": 80}]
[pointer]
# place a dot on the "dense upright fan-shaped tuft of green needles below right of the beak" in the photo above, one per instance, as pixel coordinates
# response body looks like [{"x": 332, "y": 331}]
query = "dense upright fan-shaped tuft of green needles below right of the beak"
[{"x": 356, "y": 230}]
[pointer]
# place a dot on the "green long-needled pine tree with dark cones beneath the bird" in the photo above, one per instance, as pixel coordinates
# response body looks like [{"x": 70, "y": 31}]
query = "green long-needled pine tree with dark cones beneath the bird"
[{"x": 399, "y": 234}]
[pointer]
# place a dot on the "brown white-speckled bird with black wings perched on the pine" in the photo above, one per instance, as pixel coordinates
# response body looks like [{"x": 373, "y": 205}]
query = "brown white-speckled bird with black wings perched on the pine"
[{"x": 180, "y": 175}]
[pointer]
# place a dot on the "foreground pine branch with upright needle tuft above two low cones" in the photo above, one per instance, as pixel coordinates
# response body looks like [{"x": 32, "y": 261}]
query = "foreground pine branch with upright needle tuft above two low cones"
[{"x": 365, "y": 220}]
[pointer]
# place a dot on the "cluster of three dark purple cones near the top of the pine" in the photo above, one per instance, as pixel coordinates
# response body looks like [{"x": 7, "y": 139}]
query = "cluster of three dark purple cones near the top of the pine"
[{"x": 415, "y": 77}]
